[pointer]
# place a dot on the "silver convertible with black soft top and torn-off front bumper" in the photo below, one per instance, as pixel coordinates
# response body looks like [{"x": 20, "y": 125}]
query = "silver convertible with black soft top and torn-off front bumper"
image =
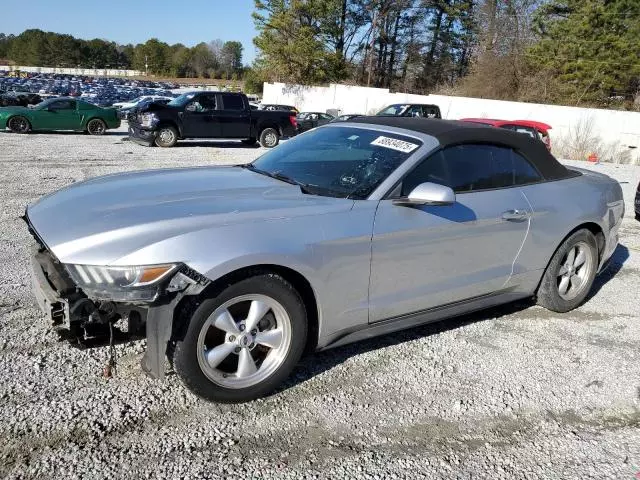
[{"x": 351, "y": 230}]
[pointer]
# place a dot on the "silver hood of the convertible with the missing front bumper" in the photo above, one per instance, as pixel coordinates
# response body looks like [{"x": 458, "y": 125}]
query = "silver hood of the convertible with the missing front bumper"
[{"x": 106, "y": 218}]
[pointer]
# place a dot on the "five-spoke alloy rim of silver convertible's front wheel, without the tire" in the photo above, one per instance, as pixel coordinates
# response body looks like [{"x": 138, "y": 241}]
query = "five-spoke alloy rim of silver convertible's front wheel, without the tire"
[{"x": 244, "y": 341}]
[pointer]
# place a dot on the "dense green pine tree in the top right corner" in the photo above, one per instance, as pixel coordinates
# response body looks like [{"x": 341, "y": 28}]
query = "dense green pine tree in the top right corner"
[{"x": 590, "y": 48}]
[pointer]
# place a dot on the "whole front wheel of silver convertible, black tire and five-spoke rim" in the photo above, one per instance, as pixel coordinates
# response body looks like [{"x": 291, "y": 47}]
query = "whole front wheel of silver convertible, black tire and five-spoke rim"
[{"x": 215, "y": 364}]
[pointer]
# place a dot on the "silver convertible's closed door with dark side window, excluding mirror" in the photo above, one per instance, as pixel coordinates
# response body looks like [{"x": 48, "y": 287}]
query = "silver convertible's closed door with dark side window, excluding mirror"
[{"x": 429, "y": 256}]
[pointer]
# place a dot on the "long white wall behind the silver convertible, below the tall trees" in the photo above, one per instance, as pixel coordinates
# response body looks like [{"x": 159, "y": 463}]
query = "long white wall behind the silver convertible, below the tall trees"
[{"x": 612, "y": 134}]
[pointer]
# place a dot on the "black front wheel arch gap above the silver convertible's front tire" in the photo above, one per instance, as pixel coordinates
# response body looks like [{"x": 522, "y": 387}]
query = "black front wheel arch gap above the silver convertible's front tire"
[{"x": 295, "y": 278}]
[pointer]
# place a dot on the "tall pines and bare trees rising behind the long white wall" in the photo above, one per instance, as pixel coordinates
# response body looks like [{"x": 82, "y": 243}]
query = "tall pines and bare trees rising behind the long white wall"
[{"x": 575, "y": 52}]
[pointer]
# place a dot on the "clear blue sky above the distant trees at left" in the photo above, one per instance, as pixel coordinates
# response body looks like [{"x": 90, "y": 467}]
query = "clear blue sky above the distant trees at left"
[{"x": 134, "y": 21}]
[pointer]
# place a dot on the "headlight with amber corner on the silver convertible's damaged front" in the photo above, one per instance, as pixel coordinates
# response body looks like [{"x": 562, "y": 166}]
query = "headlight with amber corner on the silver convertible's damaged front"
[{"x": 124, "y": 284}]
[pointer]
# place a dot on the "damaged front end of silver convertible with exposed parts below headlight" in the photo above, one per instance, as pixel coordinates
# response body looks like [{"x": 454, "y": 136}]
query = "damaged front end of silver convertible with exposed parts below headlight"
[{"x": 89, "y": 322}]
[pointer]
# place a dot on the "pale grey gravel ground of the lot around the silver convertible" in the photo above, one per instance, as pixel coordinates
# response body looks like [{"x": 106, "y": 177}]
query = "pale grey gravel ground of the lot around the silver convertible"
[{"x": 514, "y": 392}]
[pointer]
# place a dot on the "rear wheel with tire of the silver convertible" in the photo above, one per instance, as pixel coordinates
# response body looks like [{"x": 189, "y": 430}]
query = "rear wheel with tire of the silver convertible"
[{"x": 570, "y": 273}]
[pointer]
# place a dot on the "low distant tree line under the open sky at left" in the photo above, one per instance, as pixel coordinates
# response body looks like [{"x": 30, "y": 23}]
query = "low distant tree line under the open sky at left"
[{"x": 216, "y": 59}]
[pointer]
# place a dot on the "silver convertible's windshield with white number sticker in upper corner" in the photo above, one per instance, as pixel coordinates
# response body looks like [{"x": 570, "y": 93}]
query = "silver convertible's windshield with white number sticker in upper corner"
[{"x": 343, "y": 162}]
